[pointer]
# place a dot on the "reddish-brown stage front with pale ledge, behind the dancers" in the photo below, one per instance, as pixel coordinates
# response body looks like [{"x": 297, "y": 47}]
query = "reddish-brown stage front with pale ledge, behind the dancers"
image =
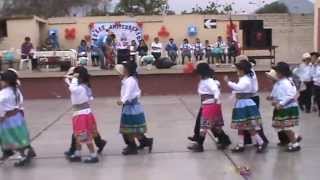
[{"x": 42, "y": 85}]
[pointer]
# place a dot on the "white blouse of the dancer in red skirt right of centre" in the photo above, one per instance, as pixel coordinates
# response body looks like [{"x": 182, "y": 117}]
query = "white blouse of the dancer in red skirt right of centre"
[{"x": 210, "y": 87}]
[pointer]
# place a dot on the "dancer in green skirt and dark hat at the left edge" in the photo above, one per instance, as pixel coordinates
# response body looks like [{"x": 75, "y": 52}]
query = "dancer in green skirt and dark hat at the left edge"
[{"x": 14, "y": 133}]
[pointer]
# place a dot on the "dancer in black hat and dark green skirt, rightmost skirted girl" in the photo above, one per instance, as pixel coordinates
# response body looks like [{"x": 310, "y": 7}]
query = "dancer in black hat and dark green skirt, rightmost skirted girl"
[{"x": 286, "y": 112}]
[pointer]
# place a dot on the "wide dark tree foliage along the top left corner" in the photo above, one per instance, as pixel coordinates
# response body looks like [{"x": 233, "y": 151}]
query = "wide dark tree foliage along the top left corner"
[{"x": 43, "y": 8}]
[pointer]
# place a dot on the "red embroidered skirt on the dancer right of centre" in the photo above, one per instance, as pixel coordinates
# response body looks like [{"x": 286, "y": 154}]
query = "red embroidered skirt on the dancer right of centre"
[{"x": 211, "y": 116}]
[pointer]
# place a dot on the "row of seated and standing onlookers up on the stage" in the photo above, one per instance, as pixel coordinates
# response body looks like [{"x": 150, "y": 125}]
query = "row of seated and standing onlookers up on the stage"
[{"x": 107, "y": 50}]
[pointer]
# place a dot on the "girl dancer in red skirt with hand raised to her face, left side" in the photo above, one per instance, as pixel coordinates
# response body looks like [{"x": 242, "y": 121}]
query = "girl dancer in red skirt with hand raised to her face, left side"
[{"x": 84, "y": 123}]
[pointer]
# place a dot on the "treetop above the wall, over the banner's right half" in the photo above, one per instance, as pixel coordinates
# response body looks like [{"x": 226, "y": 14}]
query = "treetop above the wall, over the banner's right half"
[{"x": 142, "y": 7}]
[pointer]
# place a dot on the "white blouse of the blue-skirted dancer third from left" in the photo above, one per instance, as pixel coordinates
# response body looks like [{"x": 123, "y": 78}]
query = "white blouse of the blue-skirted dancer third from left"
[{"x": 129, "y": 89}]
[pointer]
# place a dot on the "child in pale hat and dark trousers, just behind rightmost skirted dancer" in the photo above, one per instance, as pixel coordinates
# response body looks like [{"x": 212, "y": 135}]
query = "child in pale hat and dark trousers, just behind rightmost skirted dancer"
[{"x": 304, "y": 72}]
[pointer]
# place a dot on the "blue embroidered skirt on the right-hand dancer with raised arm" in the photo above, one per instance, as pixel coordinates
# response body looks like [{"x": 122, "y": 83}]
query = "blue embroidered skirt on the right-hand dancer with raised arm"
[{"x": 245, "y": 115}]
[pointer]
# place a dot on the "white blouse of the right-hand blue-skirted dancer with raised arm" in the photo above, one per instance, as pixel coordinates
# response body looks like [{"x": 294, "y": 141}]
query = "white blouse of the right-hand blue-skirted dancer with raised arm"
[{"x": 244, "y": 85}]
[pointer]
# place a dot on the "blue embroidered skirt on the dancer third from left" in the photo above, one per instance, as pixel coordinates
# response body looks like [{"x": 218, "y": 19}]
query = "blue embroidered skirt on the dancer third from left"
[{"x": 133, "y": 118}]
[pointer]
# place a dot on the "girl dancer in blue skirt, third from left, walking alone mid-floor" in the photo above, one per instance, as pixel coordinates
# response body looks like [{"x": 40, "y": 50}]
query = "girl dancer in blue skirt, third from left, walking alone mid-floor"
[{"x": 133, "y": 124}]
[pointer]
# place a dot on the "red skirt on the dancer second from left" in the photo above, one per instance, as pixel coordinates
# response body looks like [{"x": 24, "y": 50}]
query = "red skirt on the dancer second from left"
[{"x": 84, "y": 127}]
